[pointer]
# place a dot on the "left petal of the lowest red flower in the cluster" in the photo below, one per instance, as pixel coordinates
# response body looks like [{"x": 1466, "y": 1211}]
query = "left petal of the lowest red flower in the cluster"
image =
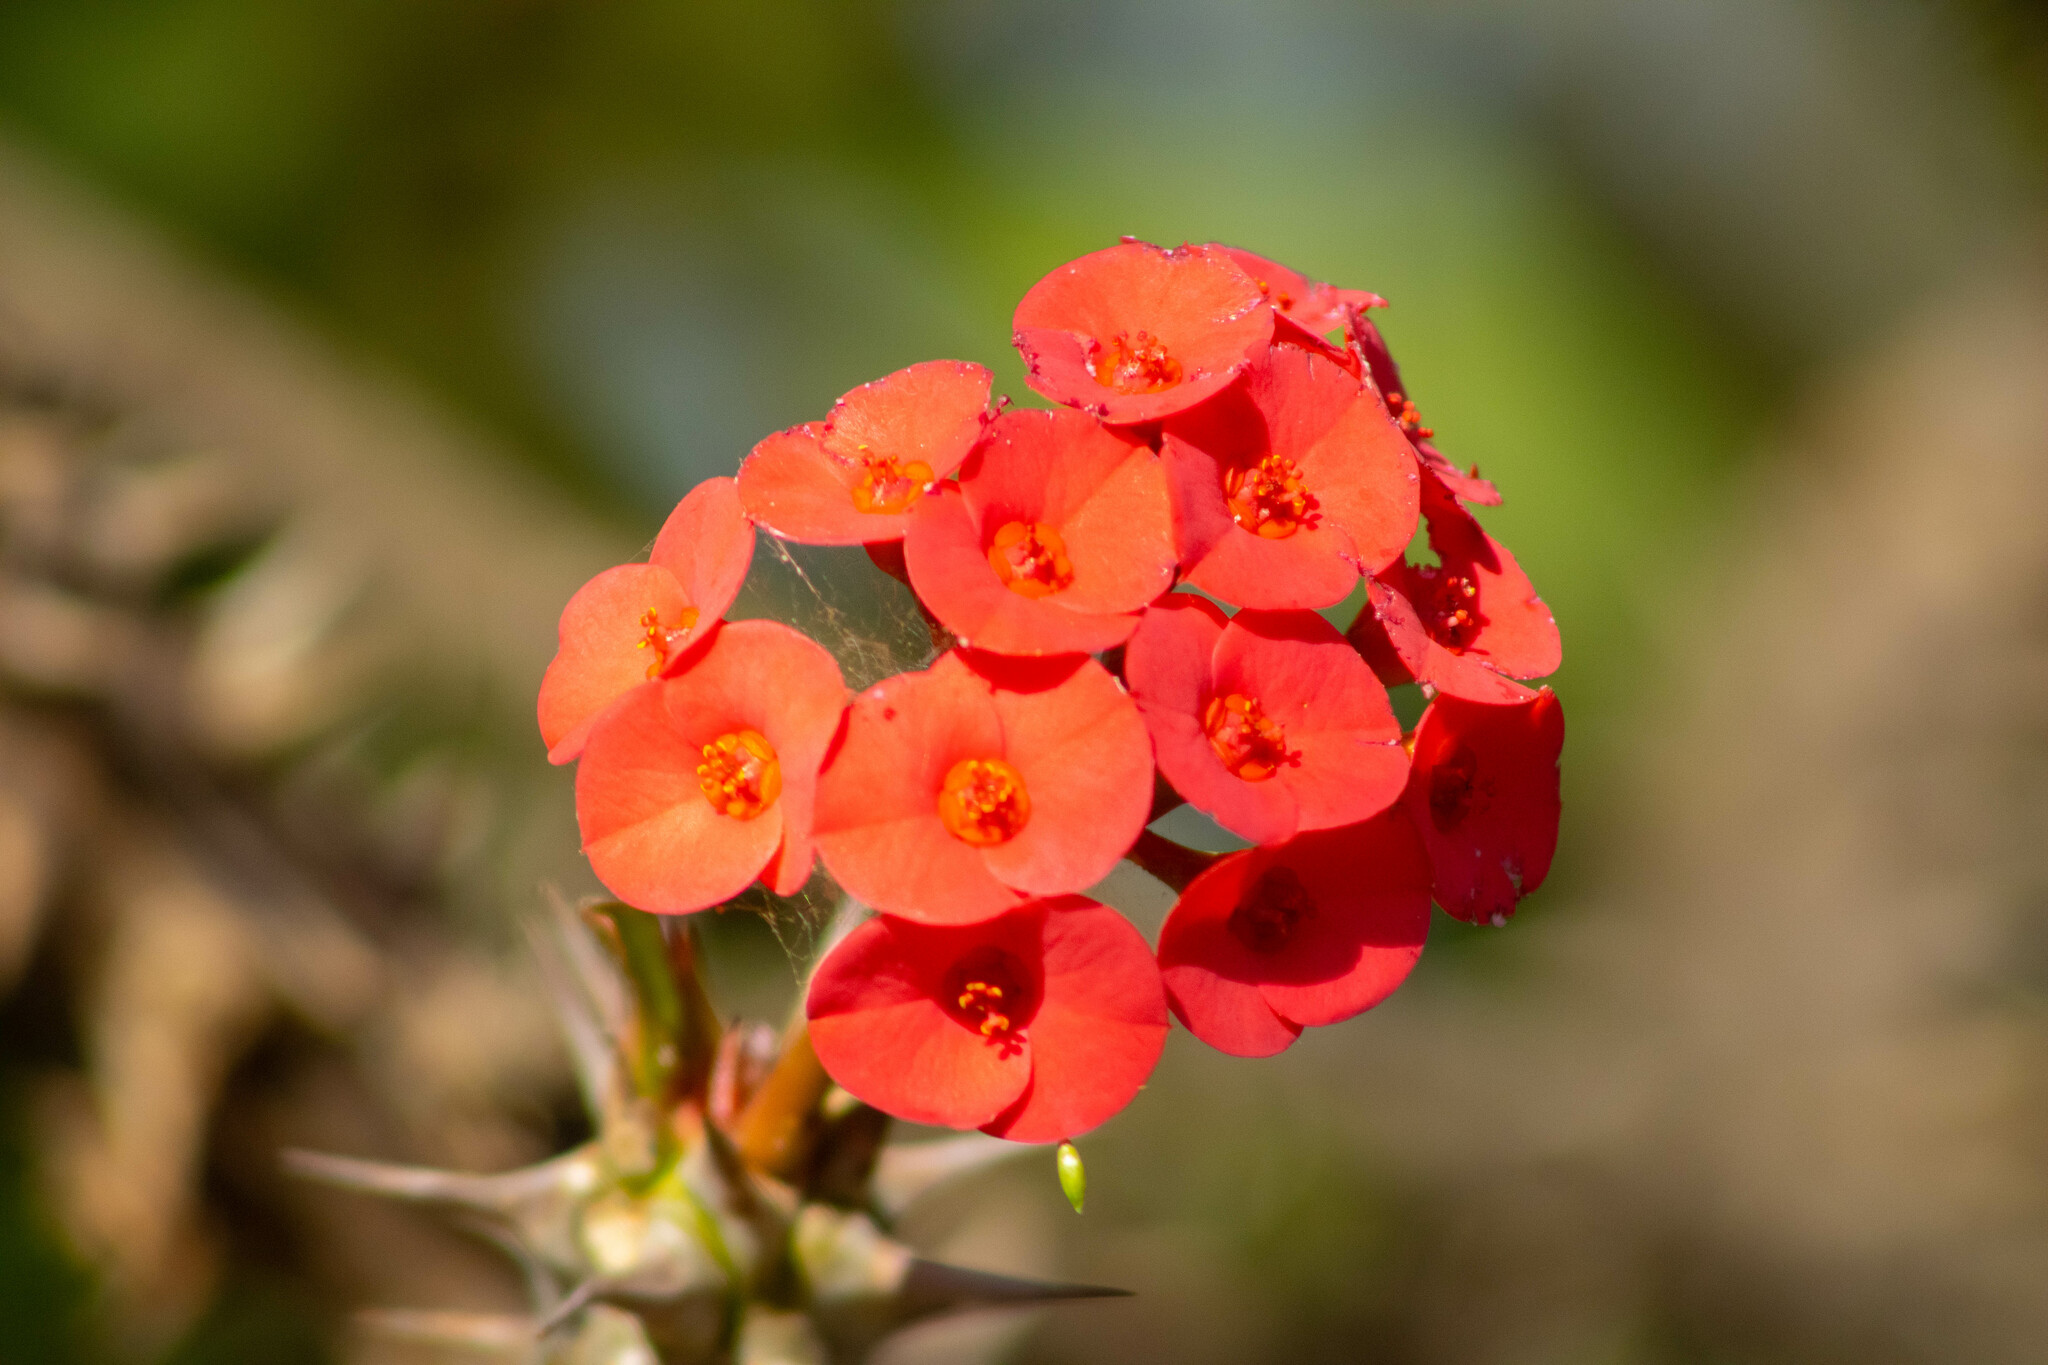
[{"x": 882, "y": 1032}]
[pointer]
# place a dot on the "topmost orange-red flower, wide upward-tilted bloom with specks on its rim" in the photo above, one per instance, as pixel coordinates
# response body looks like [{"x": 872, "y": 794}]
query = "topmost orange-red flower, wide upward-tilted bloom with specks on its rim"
[{"x": 1138, "y": 333}]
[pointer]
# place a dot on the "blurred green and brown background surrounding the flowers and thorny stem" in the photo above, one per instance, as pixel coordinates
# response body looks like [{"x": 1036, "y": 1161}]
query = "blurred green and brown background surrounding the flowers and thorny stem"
[{"x": 339, "y": 341}]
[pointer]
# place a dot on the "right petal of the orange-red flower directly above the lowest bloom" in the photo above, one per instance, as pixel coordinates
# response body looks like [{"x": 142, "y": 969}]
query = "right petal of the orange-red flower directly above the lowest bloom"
[{"x": 1082, "y": 750}]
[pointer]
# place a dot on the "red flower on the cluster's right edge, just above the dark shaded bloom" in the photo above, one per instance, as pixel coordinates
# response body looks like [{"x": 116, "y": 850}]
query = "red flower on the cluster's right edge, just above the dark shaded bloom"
[{"x": 1463, "y": 627}]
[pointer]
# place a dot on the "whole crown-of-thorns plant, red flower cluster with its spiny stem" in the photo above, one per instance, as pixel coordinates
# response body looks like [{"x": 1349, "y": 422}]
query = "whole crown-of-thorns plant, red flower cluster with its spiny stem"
[{"x": 1127, "y": 609}]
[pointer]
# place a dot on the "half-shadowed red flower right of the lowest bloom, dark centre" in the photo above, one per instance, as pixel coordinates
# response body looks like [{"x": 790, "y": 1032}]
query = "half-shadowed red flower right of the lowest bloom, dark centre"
[{"x": 1310, "y": 932}]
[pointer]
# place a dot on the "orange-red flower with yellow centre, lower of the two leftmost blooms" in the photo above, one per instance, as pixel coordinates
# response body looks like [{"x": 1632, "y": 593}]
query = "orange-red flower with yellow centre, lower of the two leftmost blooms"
[{"x": 701, "y": 783}]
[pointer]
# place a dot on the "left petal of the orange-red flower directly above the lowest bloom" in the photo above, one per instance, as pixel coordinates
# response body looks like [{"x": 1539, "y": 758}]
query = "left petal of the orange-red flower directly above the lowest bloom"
[{"x": 878, "y": 805}]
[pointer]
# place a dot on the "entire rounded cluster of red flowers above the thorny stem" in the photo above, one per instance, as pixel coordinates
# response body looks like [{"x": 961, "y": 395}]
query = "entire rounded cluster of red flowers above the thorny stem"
[{"x": 1134, "y": 592}]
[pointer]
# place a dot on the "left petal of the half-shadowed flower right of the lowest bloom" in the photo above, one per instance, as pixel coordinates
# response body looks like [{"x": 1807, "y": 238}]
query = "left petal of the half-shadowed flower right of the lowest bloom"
[{"x": 1211, "y": 979}]
